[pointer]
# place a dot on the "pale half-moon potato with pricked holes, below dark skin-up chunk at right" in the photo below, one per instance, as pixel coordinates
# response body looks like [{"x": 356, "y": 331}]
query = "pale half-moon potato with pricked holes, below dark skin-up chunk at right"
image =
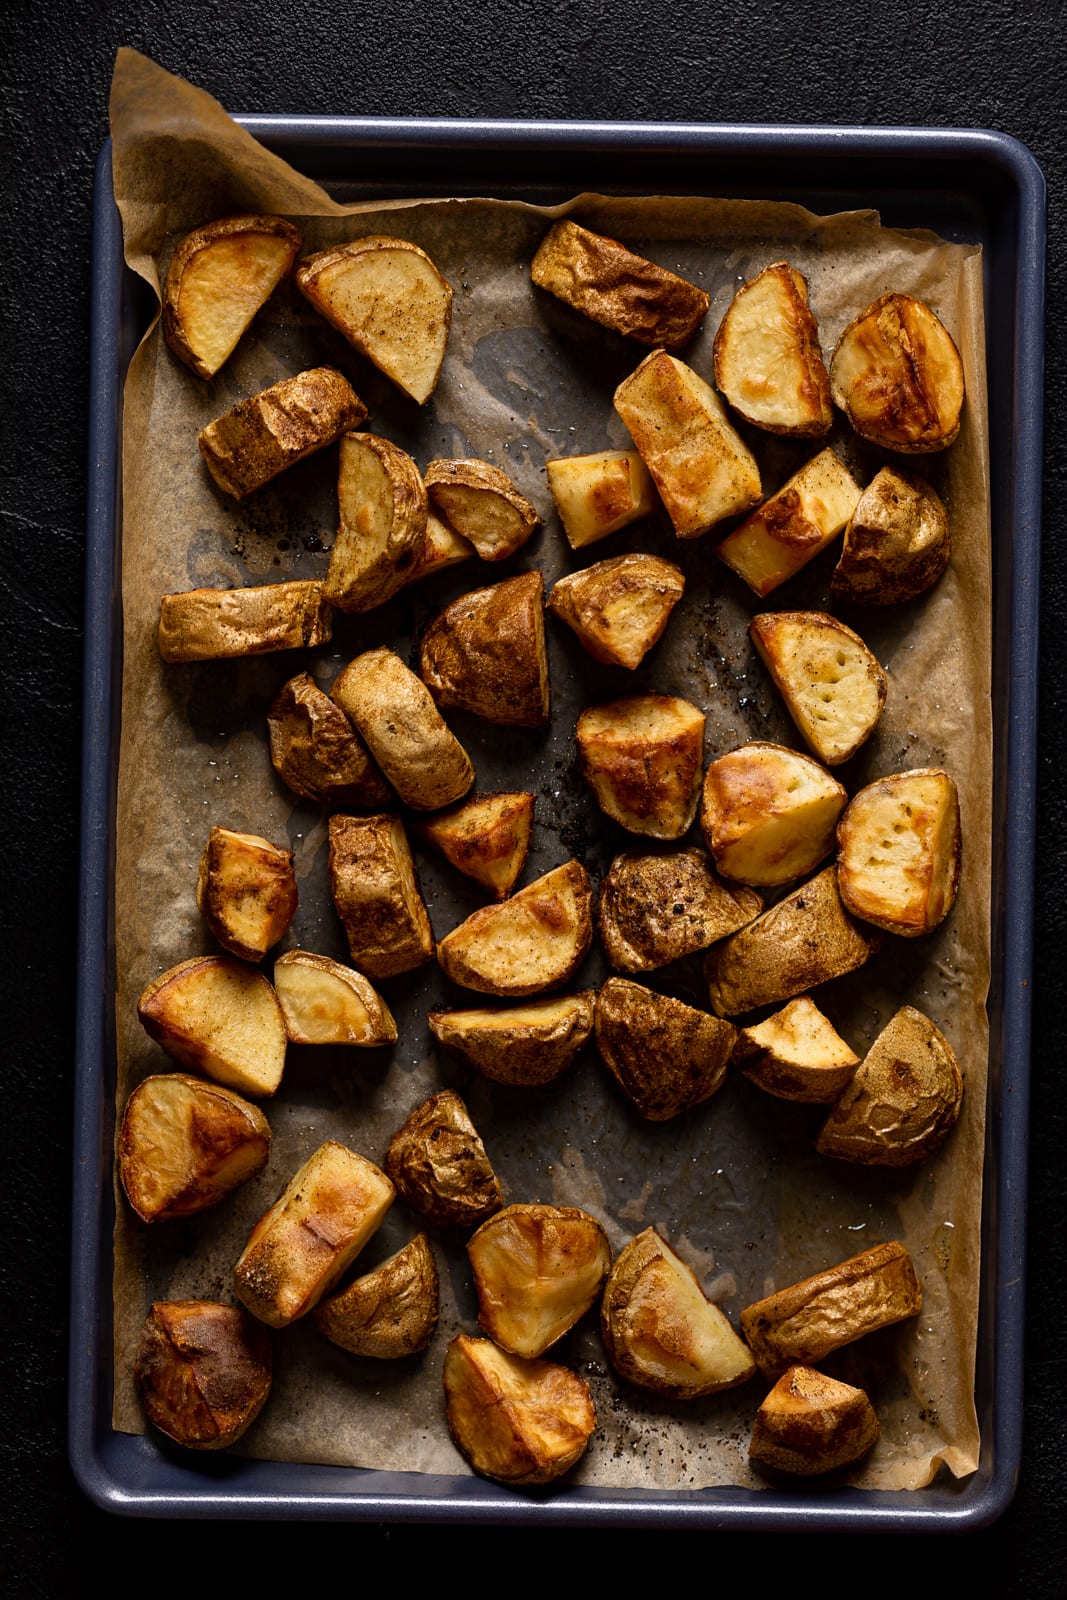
[{"x": 833, "y": 686}]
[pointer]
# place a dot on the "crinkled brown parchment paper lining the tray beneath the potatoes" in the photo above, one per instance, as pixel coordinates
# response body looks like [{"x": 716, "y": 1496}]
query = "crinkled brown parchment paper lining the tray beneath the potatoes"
[{"x": 735, "y": 1185}]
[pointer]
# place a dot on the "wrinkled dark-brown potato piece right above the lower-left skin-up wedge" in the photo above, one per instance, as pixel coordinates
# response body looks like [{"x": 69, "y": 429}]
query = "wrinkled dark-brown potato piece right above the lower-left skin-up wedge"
[{"x": 439, "y": 1164}]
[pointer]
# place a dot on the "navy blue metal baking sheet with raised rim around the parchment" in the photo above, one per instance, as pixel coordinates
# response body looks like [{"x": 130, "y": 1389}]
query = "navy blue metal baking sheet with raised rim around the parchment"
[{"x": 970, "y": 186}]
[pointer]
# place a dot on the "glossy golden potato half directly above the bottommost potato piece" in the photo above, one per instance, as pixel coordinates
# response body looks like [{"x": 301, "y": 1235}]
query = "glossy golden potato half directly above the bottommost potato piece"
[{"x": 537, "y": 1271}]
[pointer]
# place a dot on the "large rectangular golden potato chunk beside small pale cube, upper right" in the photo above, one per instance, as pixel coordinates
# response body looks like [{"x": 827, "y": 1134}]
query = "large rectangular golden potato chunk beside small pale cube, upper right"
[{"x": 700, "y": 465}]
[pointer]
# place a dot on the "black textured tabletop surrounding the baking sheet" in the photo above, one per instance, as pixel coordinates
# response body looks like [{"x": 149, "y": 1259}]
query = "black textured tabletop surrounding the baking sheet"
[{"x": 839, "y": 62}]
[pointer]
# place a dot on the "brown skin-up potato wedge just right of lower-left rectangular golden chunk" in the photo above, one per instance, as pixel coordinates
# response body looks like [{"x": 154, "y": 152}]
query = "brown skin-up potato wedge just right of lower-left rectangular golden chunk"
[{"x": 390, "y": 1313}]
